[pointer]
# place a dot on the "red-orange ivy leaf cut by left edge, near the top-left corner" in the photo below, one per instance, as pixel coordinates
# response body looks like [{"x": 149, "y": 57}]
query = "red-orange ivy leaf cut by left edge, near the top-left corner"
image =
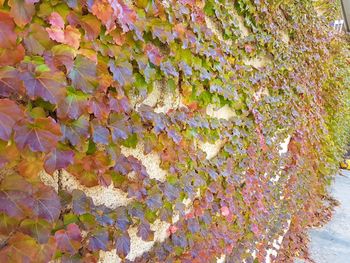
[{"x": 8, "y": 36}]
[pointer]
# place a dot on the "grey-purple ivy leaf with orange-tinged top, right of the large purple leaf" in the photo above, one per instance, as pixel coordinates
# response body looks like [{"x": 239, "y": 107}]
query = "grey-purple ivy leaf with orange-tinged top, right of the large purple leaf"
[{"x": 76, "y": 131}]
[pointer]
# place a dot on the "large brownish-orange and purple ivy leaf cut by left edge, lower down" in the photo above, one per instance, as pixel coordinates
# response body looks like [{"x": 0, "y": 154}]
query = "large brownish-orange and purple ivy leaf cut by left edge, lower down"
[{"x": 15, "y": 196}]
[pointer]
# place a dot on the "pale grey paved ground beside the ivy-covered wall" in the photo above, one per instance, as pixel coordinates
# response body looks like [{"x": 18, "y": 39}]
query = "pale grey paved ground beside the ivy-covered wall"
[{"x": 331, "y": 243}]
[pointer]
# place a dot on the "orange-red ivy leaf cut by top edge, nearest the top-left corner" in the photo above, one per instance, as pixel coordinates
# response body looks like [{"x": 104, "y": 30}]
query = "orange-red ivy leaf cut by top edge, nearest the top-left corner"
[{"x": 22, "y": 11}]
